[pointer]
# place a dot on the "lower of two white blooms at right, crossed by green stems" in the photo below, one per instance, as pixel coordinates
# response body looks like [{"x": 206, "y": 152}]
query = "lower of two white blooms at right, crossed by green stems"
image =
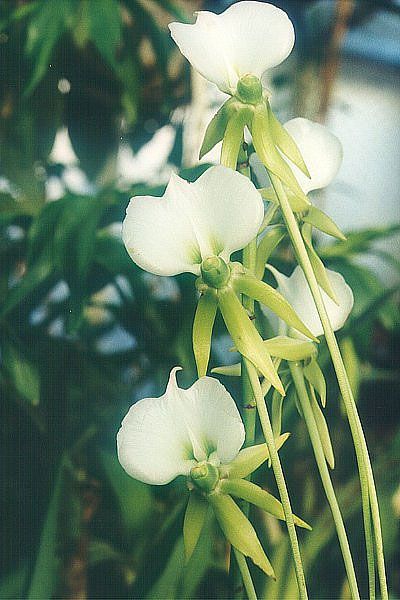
[{"x": 297, "y": 292}]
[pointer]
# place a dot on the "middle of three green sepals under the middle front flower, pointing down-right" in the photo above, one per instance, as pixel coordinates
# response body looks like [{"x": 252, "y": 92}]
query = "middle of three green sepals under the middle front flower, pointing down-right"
[{"x": 245, "y": 336}]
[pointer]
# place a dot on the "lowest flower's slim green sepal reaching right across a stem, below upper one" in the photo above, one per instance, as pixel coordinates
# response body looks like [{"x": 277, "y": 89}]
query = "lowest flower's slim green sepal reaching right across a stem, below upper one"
[{"x": 250, "y": 492}]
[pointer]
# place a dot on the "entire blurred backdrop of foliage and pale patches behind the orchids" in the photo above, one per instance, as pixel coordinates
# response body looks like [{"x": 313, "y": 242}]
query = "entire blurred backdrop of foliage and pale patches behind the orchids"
[{"x": 96, "y": 105}]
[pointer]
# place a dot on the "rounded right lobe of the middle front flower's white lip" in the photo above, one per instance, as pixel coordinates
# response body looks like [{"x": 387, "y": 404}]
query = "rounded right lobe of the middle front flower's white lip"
[{"x": 229, "y": 211}]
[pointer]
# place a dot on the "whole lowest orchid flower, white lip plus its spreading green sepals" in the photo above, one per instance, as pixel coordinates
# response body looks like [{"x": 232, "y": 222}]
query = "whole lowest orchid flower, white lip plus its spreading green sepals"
[{"x": 198, "y": 433}]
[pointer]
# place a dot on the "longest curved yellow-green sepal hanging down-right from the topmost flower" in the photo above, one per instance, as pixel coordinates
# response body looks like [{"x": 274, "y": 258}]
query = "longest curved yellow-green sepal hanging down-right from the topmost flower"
[{"x": 264, "y": 146}]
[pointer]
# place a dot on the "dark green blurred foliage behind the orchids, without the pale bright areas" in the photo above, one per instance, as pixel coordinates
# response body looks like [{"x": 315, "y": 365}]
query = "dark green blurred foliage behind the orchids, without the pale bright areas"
[{"x": 84, "y": 332}]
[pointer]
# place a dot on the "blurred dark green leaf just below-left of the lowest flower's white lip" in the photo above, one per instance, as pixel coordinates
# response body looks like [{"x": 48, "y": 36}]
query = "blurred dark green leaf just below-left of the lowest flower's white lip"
[{"x": 133, "y": 497}]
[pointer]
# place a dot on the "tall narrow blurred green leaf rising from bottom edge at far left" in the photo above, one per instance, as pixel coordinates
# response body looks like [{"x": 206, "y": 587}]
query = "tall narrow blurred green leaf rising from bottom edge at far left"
[{"x": 45, "y": 573}]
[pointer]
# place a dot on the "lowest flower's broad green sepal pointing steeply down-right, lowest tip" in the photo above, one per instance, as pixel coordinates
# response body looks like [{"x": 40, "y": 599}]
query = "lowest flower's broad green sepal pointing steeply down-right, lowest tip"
[{"x": 239, "y": 531}]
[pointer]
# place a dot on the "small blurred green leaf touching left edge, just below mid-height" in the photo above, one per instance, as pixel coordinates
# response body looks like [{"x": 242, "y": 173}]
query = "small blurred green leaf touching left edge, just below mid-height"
[{"x": 23, "y": 373}]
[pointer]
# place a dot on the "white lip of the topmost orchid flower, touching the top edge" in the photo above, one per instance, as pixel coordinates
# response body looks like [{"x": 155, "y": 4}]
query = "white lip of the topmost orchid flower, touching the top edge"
[{"x": 247, "y": 39}]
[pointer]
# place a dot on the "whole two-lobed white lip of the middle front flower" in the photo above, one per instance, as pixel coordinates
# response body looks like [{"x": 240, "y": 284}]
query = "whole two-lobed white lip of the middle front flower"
[{"x": 217, "y": 214}]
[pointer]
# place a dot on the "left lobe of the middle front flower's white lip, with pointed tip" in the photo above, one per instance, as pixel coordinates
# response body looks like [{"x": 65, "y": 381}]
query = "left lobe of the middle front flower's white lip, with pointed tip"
[{"x": 158, "y": 233}]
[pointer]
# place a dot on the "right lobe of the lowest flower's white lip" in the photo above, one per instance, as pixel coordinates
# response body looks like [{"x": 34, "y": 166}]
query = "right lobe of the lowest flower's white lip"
[{"x": 213, "y": 418}]
